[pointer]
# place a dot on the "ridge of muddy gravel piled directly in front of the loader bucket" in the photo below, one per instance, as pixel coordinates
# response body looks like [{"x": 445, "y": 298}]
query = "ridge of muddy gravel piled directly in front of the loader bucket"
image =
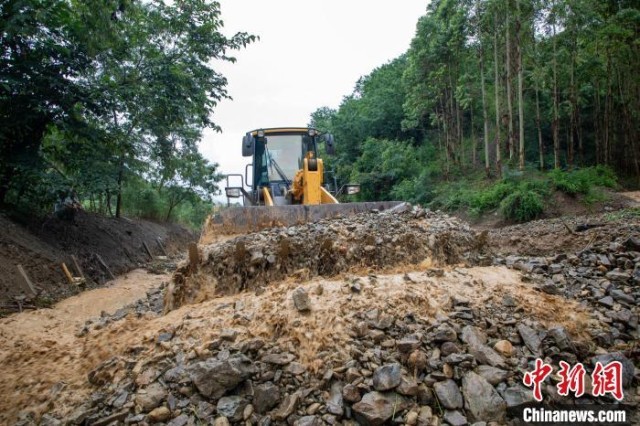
[{"x": 325, "y": 248}]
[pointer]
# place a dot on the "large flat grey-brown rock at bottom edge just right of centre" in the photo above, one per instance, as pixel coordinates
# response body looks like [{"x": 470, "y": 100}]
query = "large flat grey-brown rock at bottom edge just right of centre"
[{"x": 376, "y": 408}]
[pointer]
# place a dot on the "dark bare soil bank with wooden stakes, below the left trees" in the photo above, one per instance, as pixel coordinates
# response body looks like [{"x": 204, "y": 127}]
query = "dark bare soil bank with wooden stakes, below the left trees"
[{"x": 41, "y": 247}]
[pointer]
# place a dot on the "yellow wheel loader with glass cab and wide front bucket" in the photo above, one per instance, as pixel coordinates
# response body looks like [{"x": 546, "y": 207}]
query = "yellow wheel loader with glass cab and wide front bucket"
[{"x": 284, "y": 184}]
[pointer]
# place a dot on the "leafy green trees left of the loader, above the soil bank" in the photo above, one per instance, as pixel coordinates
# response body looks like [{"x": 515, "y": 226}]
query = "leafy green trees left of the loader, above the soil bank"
[{"x": 108, "y": 98}]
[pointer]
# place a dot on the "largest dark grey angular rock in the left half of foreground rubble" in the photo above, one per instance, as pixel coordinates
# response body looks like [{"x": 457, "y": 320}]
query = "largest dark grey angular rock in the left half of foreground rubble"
[{"x": 213, "y": 377}]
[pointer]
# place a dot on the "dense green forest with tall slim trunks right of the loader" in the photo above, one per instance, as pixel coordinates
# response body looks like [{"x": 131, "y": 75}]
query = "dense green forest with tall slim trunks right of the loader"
[{"x": 492, "y": 93}]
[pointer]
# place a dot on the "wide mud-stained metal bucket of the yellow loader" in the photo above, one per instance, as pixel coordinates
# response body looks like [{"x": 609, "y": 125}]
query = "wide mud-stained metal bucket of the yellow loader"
[{"x": 243, "y": 220}]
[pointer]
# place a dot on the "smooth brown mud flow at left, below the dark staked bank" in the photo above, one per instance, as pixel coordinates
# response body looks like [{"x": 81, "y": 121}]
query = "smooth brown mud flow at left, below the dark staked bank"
[{"x": 41, "y": 351}]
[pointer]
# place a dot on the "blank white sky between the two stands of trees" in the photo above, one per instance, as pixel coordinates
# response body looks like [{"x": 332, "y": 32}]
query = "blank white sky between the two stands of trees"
[{"x": 310, "y": 54}]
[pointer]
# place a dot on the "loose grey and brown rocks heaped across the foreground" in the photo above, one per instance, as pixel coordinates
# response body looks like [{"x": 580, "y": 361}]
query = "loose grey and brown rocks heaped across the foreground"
[{"x": 465, "y": 367}]
